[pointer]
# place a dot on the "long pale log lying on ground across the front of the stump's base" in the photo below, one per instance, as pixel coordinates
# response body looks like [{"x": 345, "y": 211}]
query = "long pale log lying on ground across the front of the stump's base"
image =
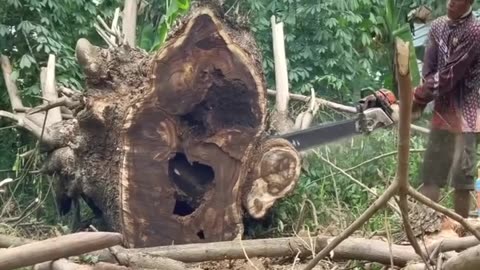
[{"x": 350, "y": 249}]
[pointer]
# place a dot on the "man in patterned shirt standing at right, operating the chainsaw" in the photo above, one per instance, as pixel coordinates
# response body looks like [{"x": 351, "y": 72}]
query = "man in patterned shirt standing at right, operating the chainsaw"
[{"x": 451, "y": 78}]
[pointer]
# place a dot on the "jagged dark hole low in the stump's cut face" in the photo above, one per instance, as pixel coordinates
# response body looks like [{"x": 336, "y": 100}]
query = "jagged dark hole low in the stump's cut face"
[{"x": 191, "y": 181}]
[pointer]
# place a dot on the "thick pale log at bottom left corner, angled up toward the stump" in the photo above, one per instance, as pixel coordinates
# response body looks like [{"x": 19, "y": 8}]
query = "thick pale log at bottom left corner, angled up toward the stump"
[{"x": 58, "y": 247}]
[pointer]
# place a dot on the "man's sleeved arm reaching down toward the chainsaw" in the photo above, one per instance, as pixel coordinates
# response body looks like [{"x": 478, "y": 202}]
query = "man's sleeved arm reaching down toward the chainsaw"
[{"x": 445, "y": 80}]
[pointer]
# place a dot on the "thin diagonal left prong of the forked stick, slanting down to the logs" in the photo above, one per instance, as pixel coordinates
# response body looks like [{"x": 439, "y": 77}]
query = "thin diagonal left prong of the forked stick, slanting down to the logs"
[{"x": 379, "y": 203}]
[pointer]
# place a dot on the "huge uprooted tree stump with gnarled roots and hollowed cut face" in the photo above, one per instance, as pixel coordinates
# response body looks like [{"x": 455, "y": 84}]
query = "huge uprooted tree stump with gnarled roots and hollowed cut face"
[{"x": 171, "y": 148}]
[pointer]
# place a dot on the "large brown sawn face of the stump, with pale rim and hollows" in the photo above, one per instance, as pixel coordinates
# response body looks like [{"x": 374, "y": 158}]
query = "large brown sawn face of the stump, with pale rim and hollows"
[{"x": 189, "y": 157}]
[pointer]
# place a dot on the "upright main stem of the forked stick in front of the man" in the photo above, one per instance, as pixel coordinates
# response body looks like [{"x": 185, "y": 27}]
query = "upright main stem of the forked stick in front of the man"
[{"x": 405, "y": 86}]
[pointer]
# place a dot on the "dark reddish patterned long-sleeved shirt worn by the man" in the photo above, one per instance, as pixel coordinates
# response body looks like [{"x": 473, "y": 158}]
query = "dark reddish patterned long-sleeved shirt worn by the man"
[{"x": 451, "y": 74}]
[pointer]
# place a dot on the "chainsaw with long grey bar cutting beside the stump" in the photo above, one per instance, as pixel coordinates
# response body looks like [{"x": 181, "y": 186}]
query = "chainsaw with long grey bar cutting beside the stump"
[{"x": 373, "y": 111}]
